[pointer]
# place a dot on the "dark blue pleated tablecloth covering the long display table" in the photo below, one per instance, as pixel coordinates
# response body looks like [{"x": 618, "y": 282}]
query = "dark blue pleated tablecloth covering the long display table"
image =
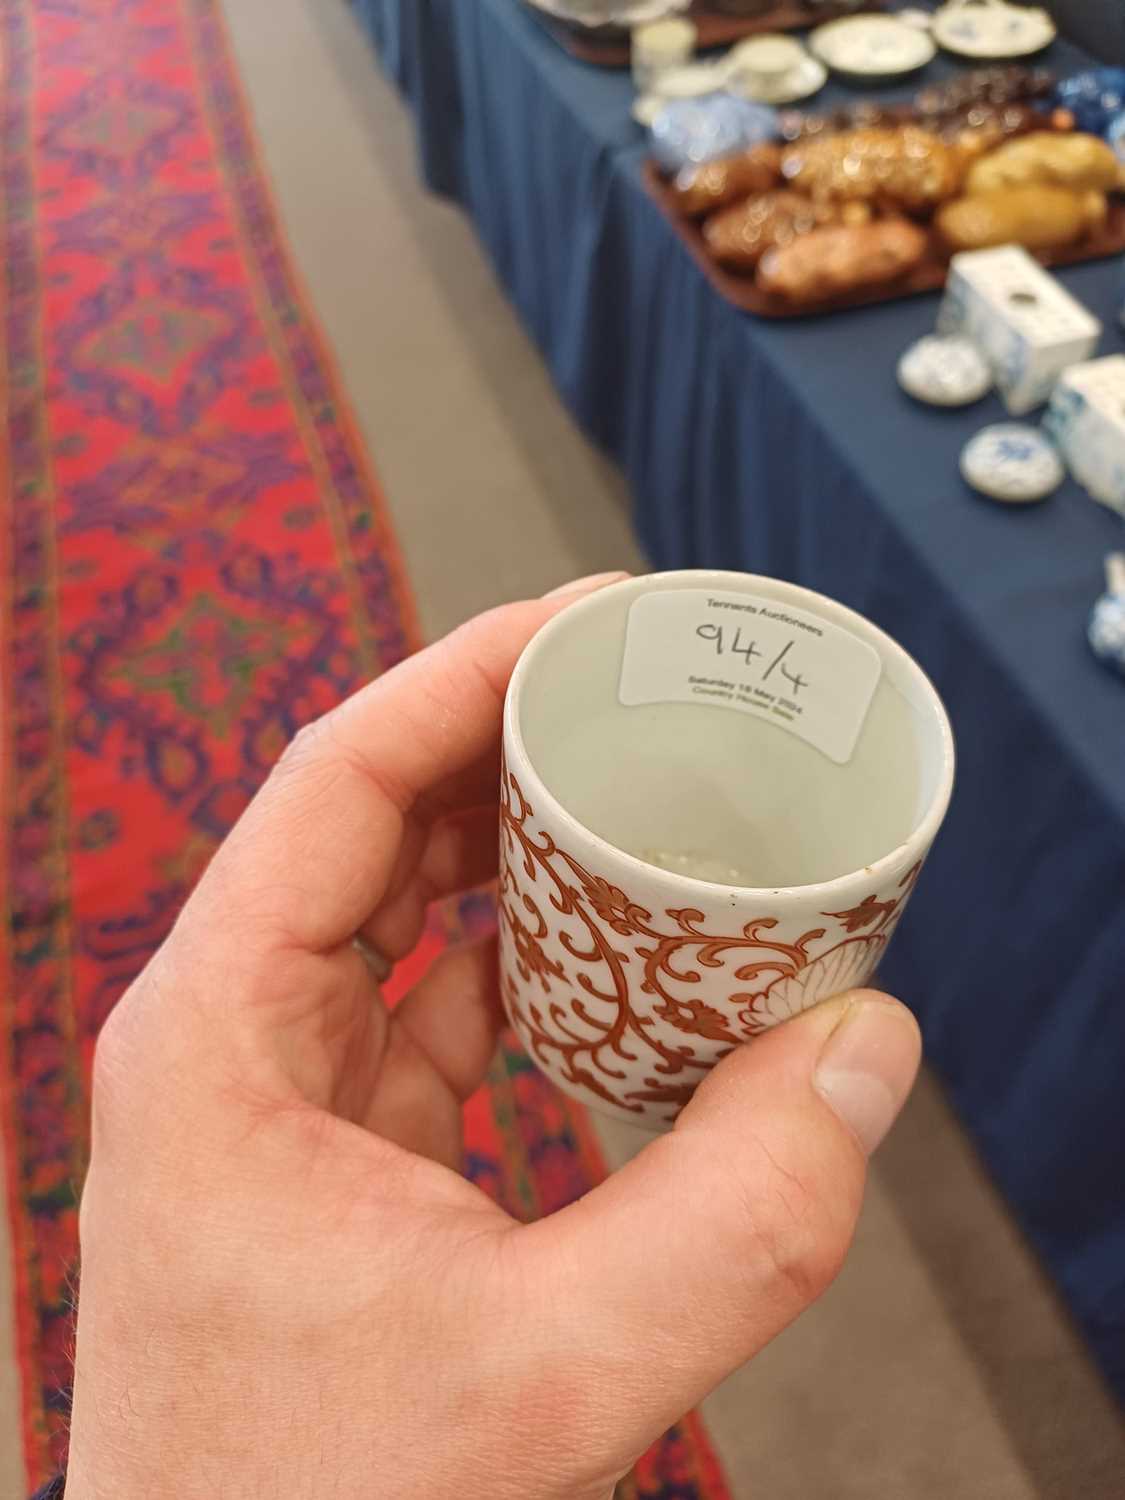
[{"x": 788, "y": 449}]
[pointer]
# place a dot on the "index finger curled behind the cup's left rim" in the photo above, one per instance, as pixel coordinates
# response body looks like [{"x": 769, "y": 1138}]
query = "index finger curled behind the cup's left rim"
[{"x": 311, "y": 857}]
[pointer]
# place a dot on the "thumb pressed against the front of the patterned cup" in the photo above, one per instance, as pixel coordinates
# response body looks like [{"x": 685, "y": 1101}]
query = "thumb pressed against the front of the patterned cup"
[{"x": 692, "y": 1258}]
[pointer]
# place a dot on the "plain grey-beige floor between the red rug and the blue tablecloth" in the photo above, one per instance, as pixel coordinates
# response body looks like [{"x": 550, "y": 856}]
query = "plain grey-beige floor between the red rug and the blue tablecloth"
[{"x": 941, "y": 1366}]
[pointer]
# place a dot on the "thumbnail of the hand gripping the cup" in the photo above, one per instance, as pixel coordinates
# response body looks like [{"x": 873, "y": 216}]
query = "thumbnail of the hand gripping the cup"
[{"x": 868, "y": 1066}]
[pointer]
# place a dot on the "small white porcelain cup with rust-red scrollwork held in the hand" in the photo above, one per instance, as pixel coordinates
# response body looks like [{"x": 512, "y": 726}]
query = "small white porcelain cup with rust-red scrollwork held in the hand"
[{"x": 718, "y": 796}]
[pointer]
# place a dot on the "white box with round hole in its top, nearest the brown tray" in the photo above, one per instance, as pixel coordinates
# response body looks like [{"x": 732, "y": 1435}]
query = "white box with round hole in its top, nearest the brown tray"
[{"x": 1025, "y": 322}]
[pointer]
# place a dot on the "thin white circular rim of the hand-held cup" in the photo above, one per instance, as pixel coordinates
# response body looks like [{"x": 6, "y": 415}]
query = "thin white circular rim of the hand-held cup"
[{"x": 541, "y": 797}]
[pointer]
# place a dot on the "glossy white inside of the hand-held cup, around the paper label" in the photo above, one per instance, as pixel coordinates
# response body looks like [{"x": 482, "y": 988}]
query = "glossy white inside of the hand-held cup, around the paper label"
[{"x": 712, "y": 793}]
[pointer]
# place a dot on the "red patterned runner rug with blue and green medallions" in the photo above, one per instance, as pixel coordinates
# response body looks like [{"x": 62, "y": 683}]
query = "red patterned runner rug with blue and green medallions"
[{"x": 196, "y": 562}]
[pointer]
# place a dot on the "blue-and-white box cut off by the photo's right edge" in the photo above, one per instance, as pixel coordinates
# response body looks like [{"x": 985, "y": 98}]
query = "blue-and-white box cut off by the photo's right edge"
[{"x": 1087, "y": 421}]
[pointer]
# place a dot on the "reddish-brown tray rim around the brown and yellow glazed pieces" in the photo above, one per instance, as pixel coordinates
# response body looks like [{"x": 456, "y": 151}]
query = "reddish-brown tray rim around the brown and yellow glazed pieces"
[{"x": 929, "y": 275}]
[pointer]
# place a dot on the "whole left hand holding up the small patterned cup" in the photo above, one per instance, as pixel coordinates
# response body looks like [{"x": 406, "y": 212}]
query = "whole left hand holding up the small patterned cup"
[{"x": 287, "y": 1289}]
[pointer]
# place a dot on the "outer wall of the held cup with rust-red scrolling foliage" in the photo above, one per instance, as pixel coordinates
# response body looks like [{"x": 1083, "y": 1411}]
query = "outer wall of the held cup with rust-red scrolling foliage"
[{"x": 601, "y": 989}]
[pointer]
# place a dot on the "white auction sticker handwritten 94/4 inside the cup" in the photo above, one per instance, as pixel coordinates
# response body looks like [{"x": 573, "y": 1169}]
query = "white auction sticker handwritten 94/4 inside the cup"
[{"x": 754, "y": 655}]
